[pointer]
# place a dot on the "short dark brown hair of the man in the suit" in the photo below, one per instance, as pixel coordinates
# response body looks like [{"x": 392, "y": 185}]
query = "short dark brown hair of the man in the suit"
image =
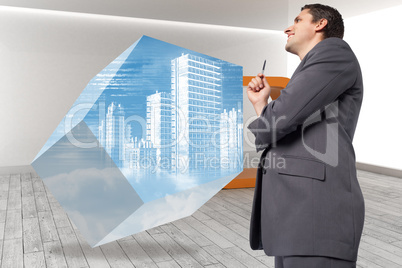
[{"x": 334, "y": 27}]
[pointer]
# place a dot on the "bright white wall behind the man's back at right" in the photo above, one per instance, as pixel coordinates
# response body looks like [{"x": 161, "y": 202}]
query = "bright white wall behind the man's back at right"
[{"x": 375, "y": 39}]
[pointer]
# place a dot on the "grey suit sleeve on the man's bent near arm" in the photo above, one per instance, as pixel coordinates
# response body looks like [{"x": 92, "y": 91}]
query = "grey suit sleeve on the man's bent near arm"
[{"x": 328, "y": 71}]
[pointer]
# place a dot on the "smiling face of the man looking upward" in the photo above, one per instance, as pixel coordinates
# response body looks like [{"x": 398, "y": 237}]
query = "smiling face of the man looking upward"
[{"x": 301, "y": 33}]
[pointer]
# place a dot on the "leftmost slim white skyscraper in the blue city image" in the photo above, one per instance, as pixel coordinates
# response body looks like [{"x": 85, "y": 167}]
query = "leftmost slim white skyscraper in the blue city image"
[{"x": 115, "y": 133}]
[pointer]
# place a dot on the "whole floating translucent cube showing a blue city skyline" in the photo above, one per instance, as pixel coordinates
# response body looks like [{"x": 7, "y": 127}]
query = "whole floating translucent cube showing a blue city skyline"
[{"x": 151, "y": 138}]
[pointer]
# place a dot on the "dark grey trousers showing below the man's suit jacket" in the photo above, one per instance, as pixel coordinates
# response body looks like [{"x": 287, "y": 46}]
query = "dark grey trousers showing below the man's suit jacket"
[{"x": 312, "y": 262}]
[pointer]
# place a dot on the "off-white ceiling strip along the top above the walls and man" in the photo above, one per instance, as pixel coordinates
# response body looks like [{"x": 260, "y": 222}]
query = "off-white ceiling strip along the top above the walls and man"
[{"x": 260, "y": 14}]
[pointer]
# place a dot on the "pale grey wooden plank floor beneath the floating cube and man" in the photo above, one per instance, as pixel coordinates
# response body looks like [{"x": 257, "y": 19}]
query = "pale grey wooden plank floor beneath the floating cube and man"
[{"x": 35, "y": 232}]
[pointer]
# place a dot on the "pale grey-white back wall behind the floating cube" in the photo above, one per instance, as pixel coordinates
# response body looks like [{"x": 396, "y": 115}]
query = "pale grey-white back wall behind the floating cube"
[{"x": 48, "y": 57}]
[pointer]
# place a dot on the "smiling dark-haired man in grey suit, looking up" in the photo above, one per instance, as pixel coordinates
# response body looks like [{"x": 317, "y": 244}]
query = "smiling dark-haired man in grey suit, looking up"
[{"x": 308, "y": 209}]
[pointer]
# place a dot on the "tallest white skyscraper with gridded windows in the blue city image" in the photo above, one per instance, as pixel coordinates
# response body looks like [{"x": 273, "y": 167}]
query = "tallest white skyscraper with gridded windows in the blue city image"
[{"x": 197, "y": 101}]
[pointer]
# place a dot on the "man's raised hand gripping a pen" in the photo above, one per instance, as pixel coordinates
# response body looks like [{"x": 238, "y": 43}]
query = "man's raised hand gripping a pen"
[{"x": 258, "y": 92}]
